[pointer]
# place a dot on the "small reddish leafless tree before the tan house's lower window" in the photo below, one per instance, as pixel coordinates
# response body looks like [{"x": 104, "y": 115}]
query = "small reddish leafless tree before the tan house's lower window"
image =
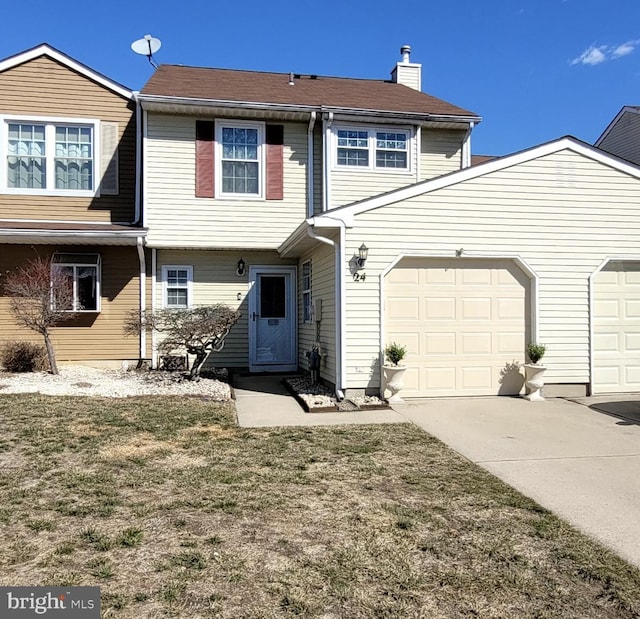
[{"x": 41, "y": 298}]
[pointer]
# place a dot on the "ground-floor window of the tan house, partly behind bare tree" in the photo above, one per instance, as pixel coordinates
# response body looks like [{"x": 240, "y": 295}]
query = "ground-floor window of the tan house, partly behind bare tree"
[{"x": 83, "y": 273}]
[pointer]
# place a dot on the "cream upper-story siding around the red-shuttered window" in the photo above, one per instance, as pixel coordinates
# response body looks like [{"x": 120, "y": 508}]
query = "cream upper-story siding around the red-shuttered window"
[{"x": 175, "y": 216}]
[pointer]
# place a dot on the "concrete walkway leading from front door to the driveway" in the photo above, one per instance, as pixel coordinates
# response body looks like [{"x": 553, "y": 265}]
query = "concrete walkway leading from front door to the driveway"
[{"x": 262, "y": 401}]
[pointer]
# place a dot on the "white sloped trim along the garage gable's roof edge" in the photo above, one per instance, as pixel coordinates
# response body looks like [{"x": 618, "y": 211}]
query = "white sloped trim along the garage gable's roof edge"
[{"x": 566, "y": 143}]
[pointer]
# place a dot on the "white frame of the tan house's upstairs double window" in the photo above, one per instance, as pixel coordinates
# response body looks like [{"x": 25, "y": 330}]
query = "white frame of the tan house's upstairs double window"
[{"x": 50, "y": 123}]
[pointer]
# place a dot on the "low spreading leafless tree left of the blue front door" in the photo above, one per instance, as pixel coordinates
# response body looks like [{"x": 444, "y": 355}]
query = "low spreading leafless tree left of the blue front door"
[{"x": 199, "y": 331}]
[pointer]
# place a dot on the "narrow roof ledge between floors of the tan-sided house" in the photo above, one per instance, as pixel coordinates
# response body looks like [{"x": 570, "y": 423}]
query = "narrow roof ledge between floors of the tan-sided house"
[{"x": 69, "y": 233}]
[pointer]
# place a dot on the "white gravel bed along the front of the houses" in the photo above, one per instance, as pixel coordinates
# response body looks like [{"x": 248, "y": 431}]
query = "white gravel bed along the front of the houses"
[{"x": 85, "y": 381}]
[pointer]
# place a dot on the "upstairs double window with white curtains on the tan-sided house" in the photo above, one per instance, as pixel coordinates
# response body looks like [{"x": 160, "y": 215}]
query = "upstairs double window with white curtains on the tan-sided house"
[{"x": 49, "y": 156}]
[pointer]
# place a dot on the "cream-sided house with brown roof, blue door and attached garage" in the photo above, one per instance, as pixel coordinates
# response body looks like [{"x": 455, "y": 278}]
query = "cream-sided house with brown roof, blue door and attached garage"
[{"x": 345, "y": 212}]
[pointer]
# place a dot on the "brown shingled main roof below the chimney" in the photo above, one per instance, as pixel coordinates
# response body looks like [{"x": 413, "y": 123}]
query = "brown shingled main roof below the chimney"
[{"x": 308, "y": 90}]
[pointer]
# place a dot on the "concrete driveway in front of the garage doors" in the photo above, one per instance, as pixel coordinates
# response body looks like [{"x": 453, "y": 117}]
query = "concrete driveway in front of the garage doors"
[{"x": 581, "y": 463}]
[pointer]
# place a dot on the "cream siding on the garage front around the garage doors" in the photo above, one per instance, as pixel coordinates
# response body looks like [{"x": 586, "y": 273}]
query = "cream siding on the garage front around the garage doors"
[{"x": 563, "y": 214}]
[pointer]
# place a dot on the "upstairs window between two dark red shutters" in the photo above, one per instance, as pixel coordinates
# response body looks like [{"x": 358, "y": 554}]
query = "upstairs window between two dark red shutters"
[{"x": 241, "y": 158}]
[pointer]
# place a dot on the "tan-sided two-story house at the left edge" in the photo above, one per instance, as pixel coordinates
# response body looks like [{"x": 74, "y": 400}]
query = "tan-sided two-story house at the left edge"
[{"x": 68, "y": 191}]
